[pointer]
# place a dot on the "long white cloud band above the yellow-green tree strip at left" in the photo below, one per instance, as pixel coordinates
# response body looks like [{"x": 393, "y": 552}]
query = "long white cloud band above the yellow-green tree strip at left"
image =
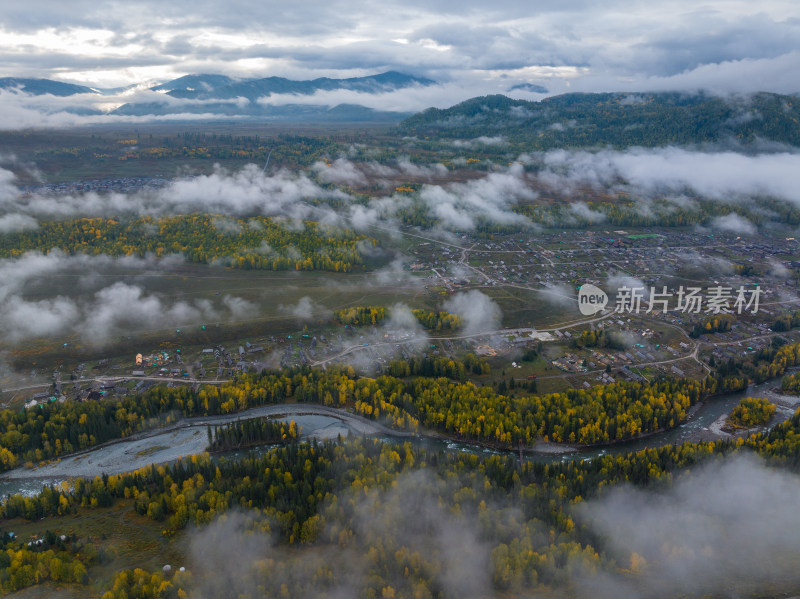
[{"x": 247, "y": 191}]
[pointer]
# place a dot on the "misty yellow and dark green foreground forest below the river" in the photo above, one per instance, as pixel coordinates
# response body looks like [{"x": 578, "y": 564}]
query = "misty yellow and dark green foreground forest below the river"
[{"x": 395, "y": 510}]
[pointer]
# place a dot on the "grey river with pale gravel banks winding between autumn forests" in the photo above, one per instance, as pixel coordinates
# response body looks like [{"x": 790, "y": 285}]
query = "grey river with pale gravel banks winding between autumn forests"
[{"x": 189, "y": 436}]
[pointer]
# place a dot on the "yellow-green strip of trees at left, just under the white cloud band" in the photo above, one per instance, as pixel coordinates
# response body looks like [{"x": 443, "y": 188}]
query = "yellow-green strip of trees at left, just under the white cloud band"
[{"x": 258, "y": 242}]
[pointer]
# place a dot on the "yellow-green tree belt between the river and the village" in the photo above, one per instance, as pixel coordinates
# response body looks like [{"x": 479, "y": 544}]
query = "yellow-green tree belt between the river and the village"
[{"x": 461, "y": 409}]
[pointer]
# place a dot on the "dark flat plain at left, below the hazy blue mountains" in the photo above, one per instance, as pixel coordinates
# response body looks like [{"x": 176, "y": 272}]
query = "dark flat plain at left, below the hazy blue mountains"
[{"x": 55, "y": 155}]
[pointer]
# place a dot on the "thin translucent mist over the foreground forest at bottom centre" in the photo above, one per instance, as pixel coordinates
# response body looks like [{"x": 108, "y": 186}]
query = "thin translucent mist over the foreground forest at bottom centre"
[{"x": 408, "y": 517}]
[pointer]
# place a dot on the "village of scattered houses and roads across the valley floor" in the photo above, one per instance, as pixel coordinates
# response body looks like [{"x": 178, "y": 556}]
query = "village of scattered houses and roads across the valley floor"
[{"x": 539, "y": 275}]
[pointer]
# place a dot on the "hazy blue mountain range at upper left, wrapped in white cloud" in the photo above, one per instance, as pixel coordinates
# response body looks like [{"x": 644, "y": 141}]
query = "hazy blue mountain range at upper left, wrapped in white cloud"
[{"x": 224, "y": 96}]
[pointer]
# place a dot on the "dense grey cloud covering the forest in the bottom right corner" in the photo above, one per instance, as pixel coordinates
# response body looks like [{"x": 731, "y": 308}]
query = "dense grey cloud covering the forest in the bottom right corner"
[{"x": 729, "y": 525}]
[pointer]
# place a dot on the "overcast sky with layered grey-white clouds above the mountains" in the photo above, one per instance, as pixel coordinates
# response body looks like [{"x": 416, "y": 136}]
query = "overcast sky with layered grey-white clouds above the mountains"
[{"x": 475, "y": 47}]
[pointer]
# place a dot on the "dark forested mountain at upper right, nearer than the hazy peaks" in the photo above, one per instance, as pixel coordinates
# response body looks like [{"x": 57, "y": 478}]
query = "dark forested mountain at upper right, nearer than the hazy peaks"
[{"x": 616, "y": 120}]
